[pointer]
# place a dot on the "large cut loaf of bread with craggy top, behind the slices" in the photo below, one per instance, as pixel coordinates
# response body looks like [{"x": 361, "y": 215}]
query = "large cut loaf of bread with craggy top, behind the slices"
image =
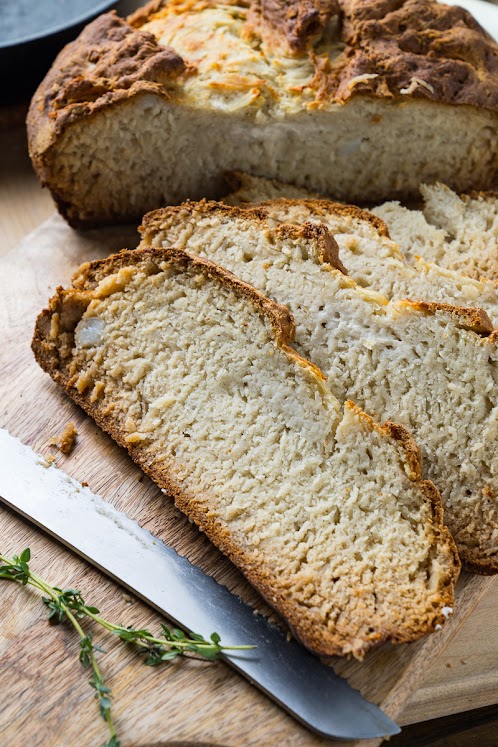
[{"x": 357, "y": 99}]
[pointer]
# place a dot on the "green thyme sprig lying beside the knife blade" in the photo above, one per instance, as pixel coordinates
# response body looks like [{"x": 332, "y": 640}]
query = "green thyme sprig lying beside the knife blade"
[{"x": 68, "y": 605}]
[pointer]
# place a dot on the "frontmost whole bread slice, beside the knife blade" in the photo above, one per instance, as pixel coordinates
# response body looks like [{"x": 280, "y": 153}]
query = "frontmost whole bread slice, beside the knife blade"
[{"x": 324, "y": 511}]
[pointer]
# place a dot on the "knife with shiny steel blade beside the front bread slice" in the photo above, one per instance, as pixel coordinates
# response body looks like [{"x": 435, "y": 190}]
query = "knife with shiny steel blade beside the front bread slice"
[{"x": 309, "y": 690}]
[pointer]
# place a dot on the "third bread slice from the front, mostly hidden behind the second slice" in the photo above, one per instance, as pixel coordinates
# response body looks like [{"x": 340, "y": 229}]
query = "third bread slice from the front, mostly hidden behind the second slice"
[{"x": 371, "y": 258}]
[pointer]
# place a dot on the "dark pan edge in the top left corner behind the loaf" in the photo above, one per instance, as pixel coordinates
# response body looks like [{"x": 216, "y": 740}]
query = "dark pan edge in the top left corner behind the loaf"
[{"x": 26, "y": 54}]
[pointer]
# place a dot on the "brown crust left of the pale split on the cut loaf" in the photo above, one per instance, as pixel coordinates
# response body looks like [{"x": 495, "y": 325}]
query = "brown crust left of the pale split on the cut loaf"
[{"x": 109, "y": 62}]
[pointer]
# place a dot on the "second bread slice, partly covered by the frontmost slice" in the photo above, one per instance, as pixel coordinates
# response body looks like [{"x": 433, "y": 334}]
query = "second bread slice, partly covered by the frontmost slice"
[{"x": 432, "y": 367}]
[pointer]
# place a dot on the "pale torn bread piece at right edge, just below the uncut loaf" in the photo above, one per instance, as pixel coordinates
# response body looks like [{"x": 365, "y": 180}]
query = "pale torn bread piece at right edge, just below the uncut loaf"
[{"x": 457, "y": 232}]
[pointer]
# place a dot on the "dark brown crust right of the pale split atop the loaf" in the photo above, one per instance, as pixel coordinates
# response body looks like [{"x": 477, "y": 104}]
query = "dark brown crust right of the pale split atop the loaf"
[{"x": 416, "y": 48}]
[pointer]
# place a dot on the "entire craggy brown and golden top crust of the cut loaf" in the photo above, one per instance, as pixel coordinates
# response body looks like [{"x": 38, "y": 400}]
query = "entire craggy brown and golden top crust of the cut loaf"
[{"x": 268, "y": 56}]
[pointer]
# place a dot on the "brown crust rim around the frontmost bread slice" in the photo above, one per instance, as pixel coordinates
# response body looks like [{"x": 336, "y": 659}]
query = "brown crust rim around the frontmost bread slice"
[{"x": 301, "y": 621}]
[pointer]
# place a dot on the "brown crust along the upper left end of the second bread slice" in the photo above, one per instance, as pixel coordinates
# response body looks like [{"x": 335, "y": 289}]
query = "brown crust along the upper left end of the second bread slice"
[{"x": 328, "y": 249}]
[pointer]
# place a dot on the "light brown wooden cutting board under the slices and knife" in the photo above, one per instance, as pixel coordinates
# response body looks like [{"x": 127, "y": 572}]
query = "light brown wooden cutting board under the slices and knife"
[{"x": 189, "y": 702}]
